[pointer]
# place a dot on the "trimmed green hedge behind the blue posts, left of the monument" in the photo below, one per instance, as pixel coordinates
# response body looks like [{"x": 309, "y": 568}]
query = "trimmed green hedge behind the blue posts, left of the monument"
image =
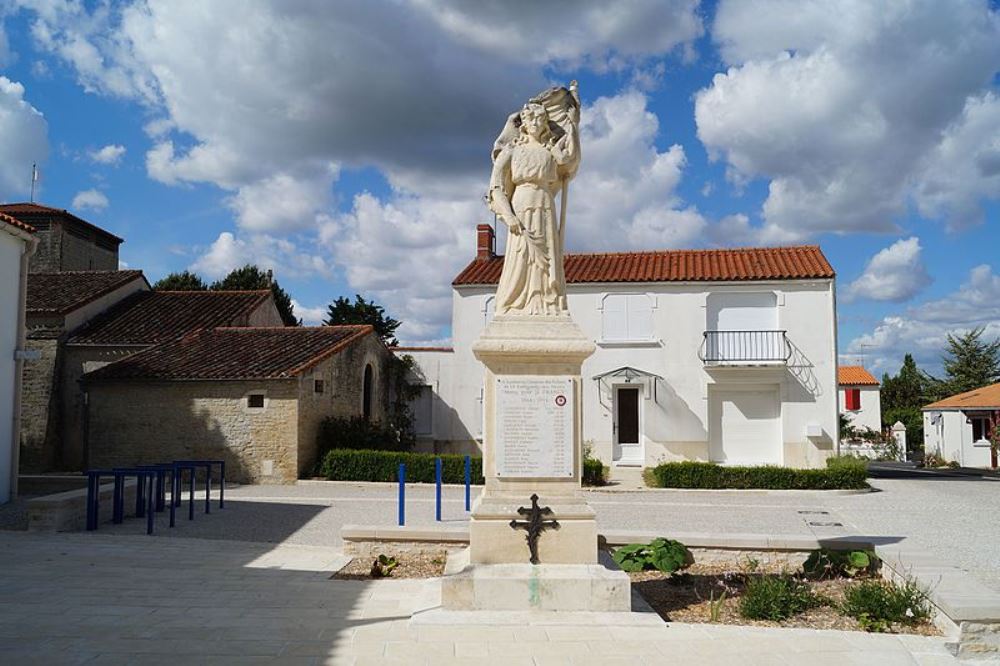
[{"x": 354, "y": 465}]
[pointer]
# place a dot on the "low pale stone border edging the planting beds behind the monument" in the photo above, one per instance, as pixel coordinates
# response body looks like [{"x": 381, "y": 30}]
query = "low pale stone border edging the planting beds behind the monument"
[{"x": 965, "y": 610}]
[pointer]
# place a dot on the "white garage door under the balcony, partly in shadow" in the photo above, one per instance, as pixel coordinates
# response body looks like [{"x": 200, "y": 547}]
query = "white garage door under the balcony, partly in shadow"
[{"x": 744, "y": 426}]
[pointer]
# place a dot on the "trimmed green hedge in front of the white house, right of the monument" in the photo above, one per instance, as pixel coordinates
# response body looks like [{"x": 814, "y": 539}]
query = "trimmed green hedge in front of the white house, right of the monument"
[{"x": 840, "y": 475}]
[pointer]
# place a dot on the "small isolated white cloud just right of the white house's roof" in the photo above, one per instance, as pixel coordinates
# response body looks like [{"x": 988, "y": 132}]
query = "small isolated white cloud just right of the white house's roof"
[{"x": 896, "y": 273}]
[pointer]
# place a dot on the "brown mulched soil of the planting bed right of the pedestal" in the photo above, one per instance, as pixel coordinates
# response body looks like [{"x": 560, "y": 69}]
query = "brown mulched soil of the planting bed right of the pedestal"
[{"x": 684, "y": 597}]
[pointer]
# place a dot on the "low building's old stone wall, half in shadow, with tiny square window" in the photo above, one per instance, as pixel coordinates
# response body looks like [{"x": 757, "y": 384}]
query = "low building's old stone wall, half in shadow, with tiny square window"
[{"x": 142, "y": 423}]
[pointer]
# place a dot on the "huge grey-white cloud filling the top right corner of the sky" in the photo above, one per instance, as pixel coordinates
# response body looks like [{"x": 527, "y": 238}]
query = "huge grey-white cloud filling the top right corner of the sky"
[{"x": 841, "y": 104}]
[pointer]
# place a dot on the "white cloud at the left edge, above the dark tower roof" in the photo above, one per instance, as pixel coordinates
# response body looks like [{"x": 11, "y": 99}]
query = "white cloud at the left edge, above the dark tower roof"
[{"x": 23, "y": 140}]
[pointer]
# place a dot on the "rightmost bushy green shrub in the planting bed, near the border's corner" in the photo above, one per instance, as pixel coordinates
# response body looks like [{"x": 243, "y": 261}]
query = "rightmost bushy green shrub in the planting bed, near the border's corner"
[{"x": 877, "y": 604}]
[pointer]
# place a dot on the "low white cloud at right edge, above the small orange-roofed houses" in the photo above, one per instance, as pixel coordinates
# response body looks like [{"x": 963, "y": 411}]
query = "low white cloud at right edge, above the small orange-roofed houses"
[{"x": 922, "y": 329}]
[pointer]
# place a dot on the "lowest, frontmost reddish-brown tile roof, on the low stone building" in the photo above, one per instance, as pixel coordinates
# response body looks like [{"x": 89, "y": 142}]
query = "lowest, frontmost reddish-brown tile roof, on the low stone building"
[{"x": 235, "y": 354}]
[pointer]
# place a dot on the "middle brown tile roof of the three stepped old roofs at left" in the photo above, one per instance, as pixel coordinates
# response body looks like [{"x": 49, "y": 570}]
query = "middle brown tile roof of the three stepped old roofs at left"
[{"x": 148, "y": 317}]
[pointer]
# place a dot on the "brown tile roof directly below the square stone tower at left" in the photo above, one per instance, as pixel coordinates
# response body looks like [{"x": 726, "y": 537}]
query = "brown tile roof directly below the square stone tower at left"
[{"x": 65, "y": 291}]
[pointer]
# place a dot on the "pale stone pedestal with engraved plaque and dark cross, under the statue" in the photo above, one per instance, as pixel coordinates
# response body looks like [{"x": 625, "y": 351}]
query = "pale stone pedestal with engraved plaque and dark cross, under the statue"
[{"x": 532, "y": 444}]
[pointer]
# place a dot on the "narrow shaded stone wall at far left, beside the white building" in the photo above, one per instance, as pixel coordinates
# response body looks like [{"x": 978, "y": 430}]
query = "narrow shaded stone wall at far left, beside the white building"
[{"x": 39, "y": 407}]
